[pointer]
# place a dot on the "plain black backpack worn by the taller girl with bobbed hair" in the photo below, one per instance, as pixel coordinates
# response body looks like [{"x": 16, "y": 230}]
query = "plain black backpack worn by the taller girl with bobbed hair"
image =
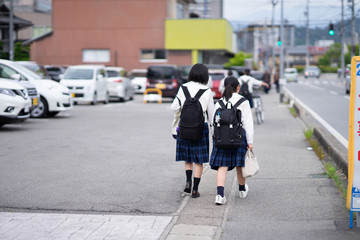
[{"x": 192, "y": 119}]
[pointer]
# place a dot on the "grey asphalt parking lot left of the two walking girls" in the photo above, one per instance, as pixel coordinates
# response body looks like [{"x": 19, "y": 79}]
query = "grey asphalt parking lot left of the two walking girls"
[{"x": 118, "y": 158}]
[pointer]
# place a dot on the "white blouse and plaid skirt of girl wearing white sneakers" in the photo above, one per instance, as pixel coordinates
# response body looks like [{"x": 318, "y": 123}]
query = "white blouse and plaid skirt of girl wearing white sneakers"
[{"x": 231, "y": 158}]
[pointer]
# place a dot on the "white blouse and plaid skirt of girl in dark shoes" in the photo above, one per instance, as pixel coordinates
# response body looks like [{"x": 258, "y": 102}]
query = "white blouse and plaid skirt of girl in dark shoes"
[{"x": 187, "y": 150}]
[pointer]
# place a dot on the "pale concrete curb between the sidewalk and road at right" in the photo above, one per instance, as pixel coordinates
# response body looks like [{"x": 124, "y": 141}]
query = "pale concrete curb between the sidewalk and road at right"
[{"x": 332, "y": 142}]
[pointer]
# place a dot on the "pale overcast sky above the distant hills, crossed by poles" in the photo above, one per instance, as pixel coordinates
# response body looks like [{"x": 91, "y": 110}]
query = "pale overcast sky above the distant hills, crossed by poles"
[{"x": 259, "y": 11}]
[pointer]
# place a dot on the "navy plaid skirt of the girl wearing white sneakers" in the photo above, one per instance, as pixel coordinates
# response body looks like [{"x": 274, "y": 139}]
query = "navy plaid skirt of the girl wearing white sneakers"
[{"x": 231, "y": 158}]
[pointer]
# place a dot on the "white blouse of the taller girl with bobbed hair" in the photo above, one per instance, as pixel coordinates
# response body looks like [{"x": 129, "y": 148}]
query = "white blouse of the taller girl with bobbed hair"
[{"x": 206, "y": 100}]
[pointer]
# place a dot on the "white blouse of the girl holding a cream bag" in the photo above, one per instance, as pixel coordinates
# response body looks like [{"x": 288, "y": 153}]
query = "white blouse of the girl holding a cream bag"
[{"x": 246, "y": 115}]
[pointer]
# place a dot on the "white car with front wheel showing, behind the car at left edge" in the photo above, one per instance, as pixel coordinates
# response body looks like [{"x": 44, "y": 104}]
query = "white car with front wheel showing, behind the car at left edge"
[{"x": 54, "y": 97}]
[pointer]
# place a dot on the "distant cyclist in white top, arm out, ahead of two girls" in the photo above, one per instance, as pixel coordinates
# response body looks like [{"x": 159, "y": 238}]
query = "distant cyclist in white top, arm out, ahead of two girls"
[{"x": 250, "y": 82}]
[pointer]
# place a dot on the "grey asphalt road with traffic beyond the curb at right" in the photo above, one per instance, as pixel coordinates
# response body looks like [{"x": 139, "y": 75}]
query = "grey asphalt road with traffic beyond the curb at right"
[{"x": 326, "y": 96}]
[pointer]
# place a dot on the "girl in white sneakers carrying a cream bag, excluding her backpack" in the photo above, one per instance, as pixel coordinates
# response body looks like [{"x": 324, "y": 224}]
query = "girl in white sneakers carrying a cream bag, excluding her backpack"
[{"x": 226, "y": 159}]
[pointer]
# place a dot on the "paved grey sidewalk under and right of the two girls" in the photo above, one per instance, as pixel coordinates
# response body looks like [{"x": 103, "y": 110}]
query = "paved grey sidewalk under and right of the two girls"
[{"x": 286, "y": 200}]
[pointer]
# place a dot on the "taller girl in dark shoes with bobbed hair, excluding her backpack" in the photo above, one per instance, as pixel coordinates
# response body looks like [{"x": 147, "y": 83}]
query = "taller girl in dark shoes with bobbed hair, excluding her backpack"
[{"x": 194, "y": 152}]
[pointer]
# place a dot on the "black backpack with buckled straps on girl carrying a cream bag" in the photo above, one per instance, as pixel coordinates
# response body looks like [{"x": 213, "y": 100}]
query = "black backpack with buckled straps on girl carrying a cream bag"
[{"x": 228, "y": 129}]
